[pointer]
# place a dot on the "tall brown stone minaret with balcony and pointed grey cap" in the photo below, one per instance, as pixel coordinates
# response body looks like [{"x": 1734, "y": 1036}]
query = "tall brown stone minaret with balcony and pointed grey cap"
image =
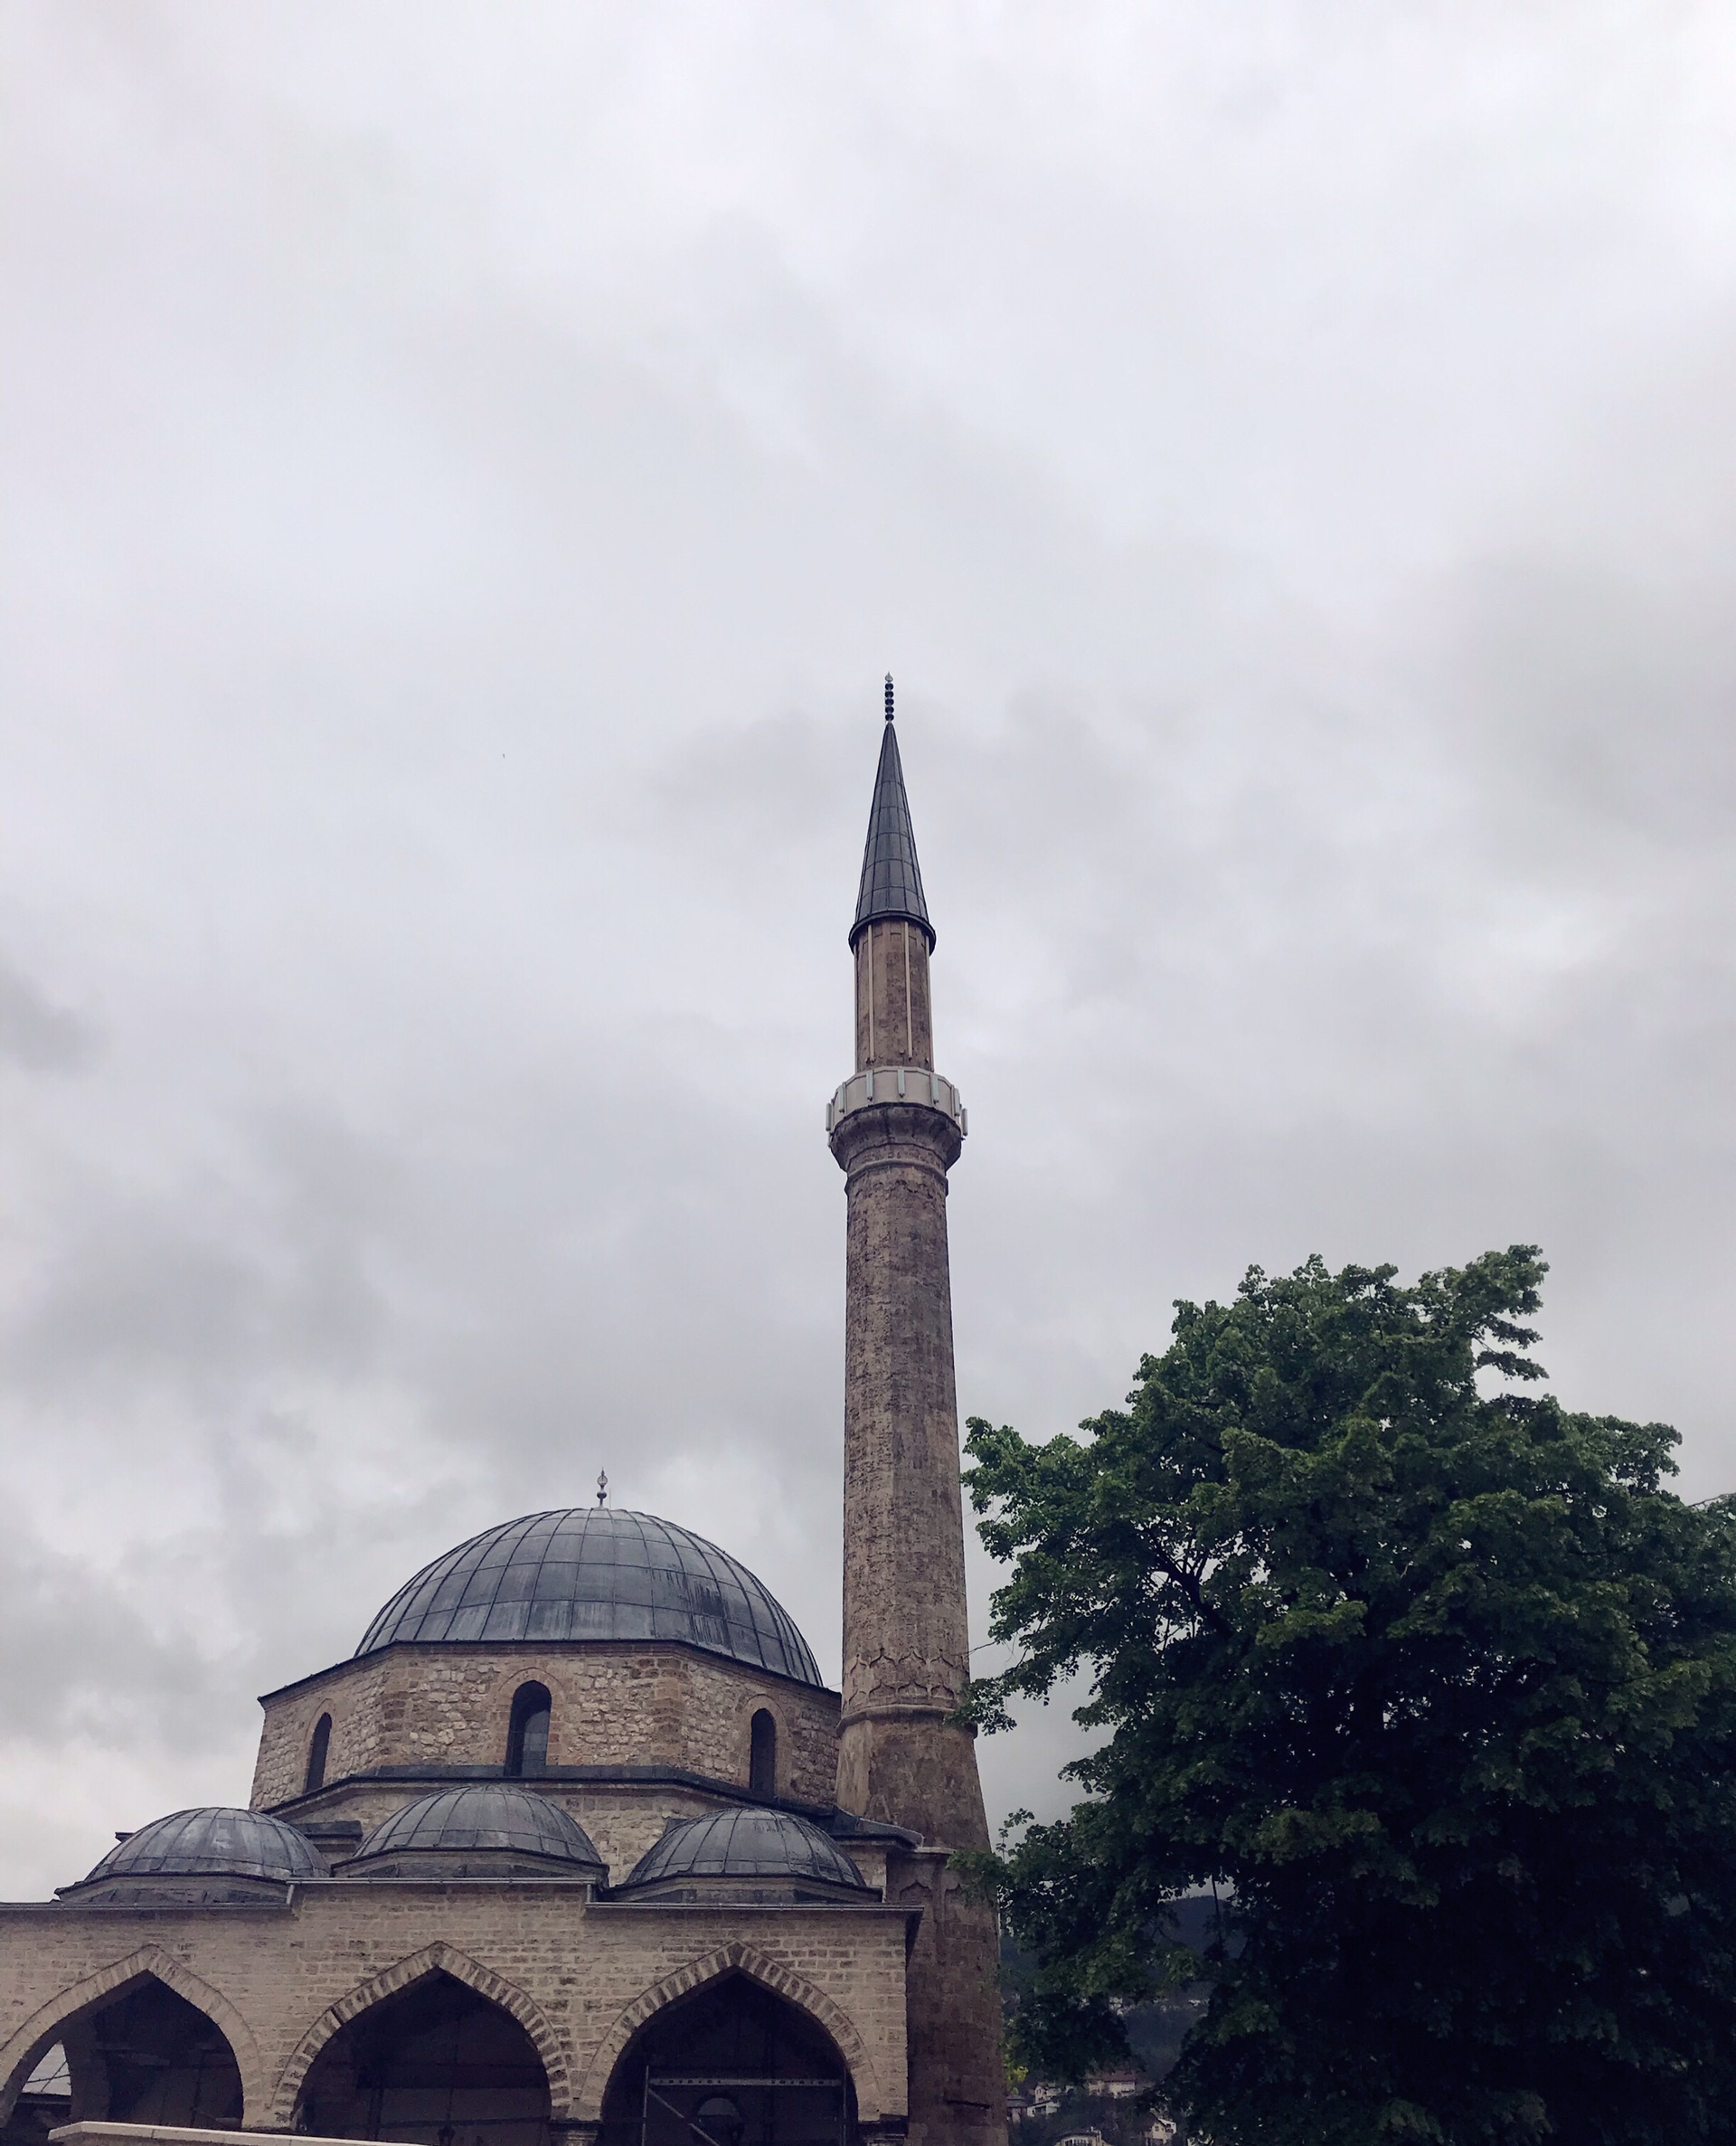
[{"x": 896, "y": 1130}]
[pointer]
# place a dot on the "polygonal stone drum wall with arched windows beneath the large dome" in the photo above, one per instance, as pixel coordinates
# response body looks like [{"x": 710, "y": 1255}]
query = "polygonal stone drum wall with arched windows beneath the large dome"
[{"x": 615, "y": 1705}]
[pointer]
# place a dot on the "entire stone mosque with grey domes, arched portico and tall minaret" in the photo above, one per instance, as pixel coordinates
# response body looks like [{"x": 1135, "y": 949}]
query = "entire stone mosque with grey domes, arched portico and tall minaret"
[{"x": 578, "y": 1847}]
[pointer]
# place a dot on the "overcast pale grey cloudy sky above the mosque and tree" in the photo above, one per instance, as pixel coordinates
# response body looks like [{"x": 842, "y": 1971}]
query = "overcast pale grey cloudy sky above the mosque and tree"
[{"x": 465, "y": 475}]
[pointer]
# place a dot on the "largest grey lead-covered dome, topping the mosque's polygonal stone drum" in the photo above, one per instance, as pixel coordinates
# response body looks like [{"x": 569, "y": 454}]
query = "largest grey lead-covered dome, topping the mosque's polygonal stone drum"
[{"x": 595, "y": 1574}]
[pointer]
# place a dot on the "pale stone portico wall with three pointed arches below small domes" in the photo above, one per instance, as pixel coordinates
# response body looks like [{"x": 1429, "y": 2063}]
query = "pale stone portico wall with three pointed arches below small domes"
[{"x": 578, "y": 1975}]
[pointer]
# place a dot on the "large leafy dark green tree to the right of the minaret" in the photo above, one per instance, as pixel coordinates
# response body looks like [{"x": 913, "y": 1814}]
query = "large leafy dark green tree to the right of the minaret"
[{"x": 1430, "y": 1679}]
